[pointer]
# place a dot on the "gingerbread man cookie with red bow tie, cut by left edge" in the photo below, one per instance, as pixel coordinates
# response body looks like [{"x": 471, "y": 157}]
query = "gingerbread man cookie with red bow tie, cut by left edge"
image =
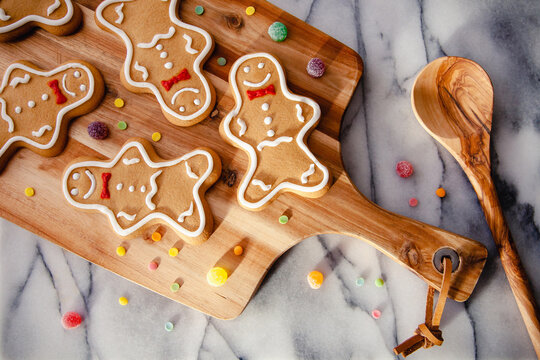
[{"x": 36, "y": 105}]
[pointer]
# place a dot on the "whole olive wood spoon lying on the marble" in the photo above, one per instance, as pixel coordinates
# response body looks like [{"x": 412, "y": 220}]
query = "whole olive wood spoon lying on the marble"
[{"x": 452, "y": 99}]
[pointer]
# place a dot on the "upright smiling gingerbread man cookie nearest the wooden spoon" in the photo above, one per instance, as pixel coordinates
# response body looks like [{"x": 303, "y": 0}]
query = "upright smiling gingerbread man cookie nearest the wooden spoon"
[{"x": 272, "y": 126}]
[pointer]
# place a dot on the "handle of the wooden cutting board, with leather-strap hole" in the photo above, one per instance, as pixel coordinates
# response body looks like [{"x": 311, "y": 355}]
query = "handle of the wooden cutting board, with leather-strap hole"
[{"x": 409, "y": 242}]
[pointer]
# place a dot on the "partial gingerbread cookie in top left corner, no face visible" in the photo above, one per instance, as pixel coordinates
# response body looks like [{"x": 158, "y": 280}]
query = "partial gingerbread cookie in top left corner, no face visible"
[{"x": 59, "y": 17}]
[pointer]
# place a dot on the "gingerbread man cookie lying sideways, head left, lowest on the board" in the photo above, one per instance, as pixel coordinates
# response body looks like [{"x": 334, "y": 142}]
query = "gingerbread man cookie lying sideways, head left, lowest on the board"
[{"x": 138, "y": 189}]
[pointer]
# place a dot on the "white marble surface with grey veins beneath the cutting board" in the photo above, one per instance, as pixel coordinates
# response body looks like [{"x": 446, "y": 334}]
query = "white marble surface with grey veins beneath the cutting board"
[{"x": 286, "y": 319}]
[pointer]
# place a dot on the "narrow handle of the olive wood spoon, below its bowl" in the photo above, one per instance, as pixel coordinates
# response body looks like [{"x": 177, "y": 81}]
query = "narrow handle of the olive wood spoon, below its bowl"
[{"x": 519, "y": 283}]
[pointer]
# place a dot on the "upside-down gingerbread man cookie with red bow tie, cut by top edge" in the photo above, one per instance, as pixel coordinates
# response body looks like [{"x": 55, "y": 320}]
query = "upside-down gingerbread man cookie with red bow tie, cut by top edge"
[{"x": 164, "y": 56}]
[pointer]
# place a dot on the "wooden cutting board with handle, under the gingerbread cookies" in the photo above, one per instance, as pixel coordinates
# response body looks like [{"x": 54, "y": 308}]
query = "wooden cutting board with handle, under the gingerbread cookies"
[{"x": 342, "y": 210}]
